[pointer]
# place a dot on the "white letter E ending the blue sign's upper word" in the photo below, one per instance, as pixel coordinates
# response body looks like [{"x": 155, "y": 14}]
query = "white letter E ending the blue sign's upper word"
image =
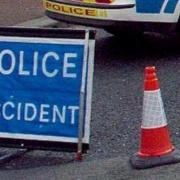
[{"x": 69, "y": 65}]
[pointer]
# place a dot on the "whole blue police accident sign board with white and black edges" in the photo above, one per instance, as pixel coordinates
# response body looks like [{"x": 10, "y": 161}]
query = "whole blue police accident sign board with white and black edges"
[{"x": 45, "y": 84}]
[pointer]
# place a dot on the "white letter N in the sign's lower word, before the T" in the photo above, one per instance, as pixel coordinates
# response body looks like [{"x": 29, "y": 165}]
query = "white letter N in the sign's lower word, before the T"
[{"x": 61, "y": 115}]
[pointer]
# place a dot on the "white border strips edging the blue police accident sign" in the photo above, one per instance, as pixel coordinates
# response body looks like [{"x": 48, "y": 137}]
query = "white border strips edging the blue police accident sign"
[{"x": 91, "y": 47}]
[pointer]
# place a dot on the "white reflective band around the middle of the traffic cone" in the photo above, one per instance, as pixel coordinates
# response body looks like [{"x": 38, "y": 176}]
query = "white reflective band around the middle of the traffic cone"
[{"x": 153, "y": 110}]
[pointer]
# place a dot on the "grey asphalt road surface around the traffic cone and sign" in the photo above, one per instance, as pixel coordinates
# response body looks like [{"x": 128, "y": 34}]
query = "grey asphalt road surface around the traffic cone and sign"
[{"x": 116, "y": 109}]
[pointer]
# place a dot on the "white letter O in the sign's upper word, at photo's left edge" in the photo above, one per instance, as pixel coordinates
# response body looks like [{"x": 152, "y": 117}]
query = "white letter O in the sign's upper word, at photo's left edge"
[{"x": 12, "y": 64}]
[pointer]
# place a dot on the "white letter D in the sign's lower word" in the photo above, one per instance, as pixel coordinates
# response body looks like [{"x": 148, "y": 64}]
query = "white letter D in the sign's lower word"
[{"x": 28, "y": 107}]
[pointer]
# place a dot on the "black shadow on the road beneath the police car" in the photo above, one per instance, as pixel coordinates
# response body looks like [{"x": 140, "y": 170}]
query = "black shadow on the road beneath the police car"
[{"x": 138, "y": 46}]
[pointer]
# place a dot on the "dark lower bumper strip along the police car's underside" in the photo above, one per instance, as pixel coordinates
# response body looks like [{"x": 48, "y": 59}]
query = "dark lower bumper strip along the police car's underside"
[{"x": 118, "y": 25}]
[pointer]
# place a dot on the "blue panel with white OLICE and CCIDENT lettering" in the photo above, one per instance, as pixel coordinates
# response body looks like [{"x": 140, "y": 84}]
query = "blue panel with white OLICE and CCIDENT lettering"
[{"x": 40, "y": 87}]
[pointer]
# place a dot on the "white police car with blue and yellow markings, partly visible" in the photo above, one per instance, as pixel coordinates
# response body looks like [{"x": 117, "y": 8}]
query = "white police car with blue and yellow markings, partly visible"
[{"x": 115, "y": 15}]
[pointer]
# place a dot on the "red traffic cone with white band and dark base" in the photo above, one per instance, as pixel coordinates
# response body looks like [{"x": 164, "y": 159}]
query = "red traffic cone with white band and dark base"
[{"x": 155, "y": 147}]
